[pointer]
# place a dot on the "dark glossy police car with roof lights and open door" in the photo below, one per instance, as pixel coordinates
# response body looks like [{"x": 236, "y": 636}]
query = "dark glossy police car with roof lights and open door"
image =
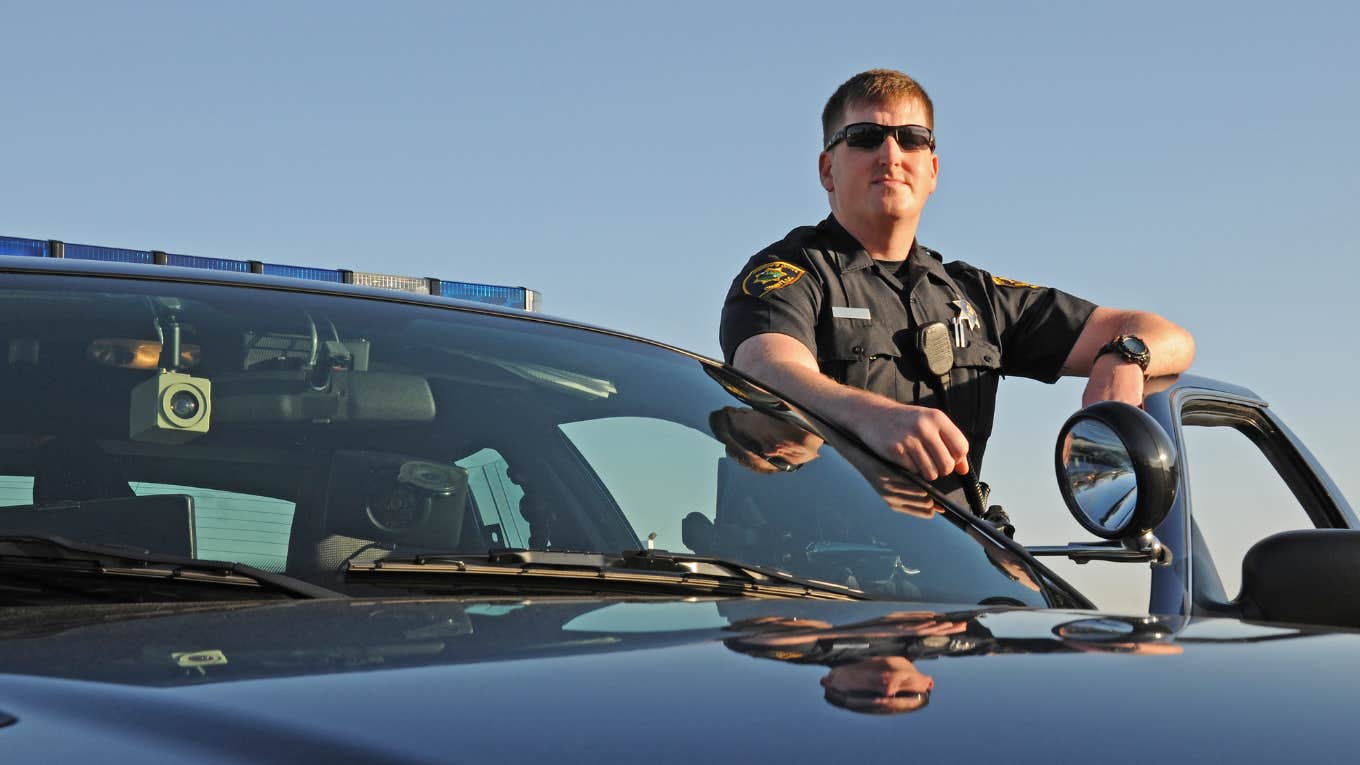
[{"x": 254, "y": 517}]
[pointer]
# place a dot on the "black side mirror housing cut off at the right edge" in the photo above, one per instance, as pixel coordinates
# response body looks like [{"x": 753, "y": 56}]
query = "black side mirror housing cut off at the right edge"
[{"x": 1304, "y": 578}]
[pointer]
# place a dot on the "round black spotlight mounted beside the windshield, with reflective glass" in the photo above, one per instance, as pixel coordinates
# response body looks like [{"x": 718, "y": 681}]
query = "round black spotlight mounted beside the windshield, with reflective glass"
[{"x": 1117, "y": 470}]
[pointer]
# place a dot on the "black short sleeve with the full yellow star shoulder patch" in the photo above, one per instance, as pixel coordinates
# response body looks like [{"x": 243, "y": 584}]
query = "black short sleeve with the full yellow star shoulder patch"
[{"x": 773, "y": 293}]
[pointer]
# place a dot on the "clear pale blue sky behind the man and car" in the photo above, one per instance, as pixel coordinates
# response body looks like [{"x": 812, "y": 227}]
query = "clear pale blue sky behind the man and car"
[{"x": 625, "y": 160}]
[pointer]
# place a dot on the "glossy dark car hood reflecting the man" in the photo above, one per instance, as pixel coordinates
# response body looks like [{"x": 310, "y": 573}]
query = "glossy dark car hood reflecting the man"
[{"x": 592, "y": 681}]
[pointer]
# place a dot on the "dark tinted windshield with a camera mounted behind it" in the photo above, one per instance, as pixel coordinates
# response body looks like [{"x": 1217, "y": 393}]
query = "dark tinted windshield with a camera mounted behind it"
[{"x": 303, "y": 434}]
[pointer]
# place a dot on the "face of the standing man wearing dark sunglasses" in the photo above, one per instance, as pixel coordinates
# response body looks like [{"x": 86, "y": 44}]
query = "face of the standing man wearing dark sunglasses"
[{"x": 885, "y": 186}]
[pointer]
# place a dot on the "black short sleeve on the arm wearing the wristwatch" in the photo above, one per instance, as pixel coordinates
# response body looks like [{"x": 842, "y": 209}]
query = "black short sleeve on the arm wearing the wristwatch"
[{"x": 1038, "y": 326}]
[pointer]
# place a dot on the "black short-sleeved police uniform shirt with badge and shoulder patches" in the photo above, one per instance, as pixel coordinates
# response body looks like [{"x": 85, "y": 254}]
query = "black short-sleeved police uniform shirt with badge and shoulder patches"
[{"x": 819, "y": 287}]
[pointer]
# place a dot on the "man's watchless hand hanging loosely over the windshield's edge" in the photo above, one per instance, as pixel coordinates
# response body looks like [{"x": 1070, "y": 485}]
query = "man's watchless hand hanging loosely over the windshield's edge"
[{"x": 920, "y": 439}]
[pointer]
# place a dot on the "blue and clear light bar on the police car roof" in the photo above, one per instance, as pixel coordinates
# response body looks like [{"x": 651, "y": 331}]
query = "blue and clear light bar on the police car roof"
[{"x": 493, "y": 295}]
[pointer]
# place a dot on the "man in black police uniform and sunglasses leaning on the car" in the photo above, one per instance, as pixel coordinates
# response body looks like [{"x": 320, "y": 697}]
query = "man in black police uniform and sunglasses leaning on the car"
[{"x": 834, "y": 315}]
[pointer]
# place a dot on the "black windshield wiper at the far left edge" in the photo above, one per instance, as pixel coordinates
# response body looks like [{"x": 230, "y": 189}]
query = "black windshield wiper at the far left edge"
[{"x": 35, "y": 555}]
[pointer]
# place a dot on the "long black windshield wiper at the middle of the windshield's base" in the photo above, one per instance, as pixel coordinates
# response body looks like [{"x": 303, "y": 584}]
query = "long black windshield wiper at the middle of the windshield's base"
[{"x": 647, "y": 570}]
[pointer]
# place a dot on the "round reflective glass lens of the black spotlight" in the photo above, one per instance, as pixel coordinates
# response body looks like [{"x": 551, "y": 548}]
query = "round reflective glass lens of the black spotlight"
[{"x": 1100, "y": 474}]
